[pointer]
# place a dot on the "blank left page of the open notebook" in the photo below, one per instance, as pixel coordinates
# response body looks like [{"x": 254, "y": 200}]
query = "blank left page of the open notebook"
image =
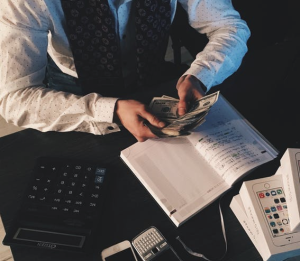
[{"x": 174, "y": 173}]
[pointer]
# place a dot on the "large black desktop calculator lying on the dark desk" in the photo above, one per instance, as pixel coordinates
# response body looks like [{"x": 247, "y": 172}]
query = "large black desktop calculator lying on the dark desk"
[{"x": 62, "y": 205}]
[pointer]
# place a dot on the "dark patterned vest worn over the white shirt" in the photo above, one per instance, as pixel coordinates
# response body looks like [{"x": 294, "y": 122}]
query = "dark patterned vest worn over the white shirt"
[{"x": 95, "y": 44}]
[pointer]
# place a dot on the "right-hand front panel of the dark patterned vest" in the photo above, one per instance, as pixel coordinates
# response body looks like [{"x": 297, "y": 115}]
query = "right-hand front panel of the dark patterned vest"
[{"x": 152, "y": 27}]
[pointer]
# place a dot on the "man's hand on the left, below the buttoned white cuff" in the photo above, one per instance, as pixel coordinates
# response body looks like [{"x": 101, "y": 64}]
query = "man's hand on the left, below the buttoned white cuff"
[{"x": 132, "y": 115}]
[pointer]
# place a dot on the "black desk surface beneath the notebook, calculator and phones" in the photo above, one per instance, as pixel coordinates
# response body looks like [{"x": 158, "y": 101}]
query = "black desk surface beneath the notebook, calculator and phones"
[{"x": 264, "y": 90}]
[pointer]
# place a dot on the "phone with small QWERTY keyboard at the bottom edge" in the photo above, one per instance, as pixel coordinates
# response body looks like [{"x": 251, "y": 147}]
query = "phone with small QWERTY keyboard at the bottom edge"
[{"x": 151, "y": 245}]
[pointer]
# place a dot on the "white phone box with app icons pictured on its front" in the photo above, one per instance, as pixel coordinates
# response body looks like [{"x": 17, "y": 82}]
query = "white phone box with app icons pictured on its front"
[{"x": 264, "y": 204}]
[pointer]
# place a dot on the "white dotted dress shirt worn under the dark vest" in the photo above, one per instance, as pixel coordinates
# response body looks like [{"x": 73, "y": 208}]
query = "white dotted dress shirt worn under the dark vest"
[{"x": 30, "y": 29}]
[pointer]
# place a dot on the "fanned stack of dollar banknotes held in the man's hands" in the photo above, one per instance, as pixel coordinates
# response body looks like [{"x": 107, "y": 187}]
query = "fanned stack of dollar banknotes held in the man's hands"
[{"x": 165, "y": 108}]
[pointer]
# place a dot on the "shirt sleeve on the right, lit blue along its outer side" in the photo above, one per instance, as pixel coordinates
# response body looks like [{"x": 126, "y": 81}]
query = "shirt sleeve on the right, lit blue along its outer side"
[{"x": 227, "y": 34}]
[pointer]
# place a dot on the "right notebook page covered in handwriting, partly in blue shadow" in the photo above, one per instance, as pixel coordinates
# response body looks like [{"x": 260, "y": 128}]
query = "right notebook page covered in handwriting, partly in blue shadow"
[{"x": 230, "y": 146}]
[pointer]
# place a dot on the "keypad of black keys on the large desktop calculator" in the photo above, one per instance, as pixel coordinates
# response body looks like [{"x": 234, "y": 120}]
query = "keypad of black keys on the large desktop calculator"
[{"x": 66, "y": 189}]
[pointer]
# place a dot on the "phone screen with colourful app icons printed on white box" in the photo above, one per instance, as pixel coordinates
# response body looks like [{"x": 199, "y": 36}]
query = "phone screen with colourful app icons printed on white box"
[{"x": 275, "y": 210}]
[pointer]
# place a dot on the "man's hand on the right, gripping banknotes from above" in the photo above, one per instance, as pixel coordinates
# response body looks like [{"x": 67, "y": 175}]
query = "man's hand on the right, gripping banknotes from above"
[{"x": 189, "y": 90}]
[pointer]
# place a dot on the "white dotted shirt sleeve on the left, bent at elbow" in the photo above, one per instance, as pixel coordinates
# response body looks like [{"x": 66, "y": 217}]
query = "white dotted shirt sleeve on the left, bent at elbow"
[{"x": 24, "y": 100}]
